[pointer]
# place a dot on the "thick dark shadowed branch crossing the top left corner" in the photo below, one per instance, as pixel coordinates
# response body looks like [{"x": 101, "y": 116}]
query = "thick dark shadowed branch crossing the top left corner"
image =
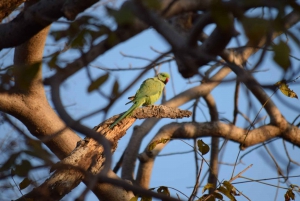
[{"x": 38, "y": 16}]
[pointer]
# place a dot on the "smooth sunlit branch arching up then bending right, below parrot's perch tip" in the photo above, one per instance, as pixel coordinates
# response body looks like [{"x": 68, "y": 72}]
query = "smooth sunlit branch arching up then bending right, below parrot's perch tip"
[{"x": 207, "y": 129}]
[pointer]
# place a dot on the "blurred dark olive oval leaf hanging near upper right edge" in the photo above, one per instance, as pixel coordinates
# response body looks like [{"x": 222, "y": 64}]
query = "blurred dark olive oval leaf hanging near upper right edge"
[{"x": 282, "y": 55}]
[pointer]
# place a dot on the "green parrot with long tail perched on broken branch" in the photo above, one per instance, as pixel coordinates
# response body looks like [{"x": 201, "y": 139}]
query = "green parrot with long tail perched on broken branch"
[{"x": 148, "y": 93}]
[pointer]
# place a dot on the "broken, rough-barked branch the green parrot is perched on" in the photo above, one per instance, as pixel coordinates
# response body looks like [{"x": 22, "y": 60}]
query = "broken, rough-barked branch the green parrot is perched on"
[{"x": 88, "y": 155}]
